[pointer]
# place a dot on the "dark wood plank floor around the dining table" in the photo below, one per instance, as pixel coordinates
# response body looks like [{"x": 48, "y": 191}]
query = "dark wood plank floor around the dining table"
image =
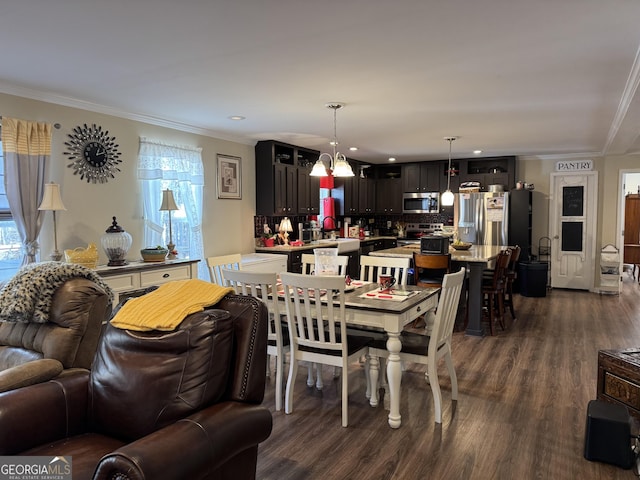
[{"x": 521, "y": 410}]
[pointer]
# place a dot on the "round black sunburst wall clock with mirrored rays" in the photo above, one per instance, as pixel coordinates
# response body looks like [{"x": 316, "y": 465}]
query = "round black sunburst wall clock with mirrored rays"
[{"x": 93, "y": 154}]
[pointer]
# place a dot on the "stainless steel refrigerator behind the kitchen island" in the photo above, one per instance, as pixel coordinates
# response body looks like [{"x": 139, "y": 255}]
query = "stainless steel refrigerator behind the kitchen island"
[{"x": 482, "y": 218}]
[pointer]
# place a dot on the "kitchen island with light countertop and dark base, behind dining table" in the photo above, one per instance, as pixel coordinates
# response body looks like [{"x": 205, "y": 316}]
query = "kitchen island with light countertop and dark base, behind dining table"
[{"x": 476, "y": 259}]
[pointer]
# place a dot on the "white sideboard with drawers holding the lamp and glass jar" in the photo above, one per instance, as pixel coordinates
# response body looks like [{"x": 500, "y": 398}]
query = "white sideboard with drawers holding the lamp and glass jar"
[{"x": 135, "y": 276}]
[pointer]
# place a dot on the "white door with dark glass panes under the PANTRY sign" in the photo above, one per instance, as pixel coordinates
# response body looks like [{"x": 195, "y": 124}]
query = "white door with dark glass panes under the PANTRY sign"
[{"x": 572, "y": 227}]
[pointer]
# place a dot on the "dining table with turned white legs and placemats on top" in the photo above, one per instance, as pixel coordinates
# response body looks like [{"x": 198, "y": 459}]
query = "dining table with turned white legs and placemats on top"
[{"x": 366, "y": 305}]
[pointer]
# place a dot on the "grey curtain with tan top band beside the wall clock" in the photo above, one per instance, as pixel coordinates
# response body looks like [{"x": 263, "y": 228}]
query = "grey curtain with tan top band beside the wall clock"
[{"x": 27, "y": 149}]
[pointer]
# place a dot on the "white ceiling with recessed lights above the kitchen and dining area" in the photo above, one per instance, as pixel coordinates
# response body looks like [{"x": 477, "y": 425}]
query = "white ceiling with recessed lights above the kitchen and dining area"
[{"x": 509, "y": 77}]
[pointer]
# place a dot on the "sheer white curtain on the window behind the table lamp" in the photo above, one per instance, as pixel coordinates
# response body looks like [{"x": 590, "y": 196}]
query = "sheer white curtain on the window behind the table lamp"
[{"x": 178, "y": 168}]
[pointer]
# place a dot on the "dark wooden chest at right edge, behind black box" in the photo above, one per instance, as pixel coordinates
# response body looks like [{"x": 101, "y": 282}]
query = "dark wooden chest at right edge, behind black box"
[{"x": 619, "y": 378}]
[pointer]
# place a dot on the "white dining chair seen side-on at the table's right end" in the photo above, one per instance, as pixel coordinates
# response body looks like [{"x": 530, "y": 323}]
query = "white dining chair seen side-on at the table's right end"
[{"x": 428, "y": 350}]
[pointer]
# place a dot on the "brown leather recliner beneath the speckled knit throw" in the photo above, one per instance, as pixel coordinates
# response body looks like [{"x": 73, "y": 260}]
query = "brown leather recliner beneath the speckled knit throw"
[{"x": 36, "y": 352}]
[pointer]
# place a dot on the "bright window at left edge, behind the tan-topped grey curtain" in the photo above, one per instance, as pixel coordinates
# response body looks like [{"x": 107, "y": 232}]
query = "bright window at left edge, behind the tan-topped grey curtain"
[{"x": 10, "y": 256}]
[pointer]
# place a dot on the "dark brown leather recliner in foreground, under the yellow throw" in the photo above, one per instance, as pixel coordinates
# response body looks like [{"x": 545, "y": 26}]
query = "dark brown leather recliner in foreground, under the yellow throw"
[{"x": 181, "y": 405}]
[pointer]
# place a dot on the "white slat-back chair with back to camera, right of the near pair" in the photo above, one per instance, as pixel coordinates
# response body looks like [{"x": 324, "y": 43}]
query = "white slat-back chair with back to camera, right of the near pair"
[{"x": 318, "y": 330}]
